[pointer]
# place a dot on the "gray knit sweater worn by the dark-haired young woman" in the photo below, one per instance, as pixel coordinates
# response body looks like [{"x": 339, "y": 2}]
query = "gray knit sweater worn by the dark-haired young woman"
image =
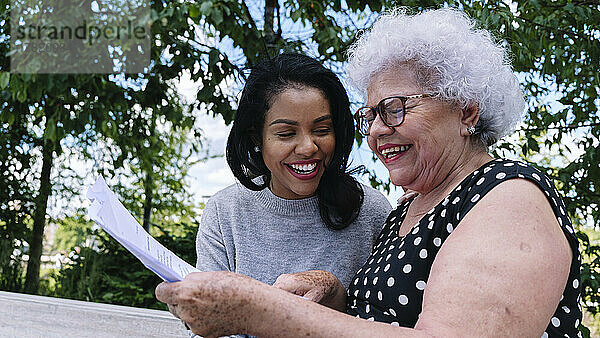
[{"x": 258, "y": 234}]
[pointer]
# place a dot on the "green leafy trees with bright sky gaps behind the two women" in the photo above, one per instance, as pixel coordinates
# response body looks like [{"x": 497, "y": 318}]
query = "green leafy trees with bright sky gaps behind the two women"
[{"x": 141, "y": 136}]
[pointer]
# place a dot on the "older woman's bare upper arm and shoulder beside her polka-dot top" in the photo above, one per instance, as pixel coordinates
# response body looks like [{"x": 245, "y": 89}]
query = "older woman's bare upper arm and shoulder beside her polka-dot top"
[{"x": 508, "y": 259}]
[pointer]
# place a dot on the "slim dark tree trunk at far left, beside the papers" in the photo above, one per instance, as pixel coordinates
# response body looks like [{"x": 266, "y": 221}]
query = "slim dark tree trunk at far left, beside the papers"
[{"x": 32, "y": 277}]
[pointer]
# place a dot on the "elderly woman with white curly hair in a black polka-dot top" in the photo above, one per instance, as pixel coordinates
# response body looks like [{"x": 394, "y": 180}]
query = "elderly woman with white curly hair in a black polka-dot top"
[{"x": 484, "y": 249}]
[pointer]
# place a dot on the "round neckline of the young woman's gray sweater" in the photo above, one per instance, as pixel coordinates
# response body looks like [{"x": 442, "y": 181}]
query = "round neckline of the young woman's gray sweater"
[{"x": 282, "y": 206}]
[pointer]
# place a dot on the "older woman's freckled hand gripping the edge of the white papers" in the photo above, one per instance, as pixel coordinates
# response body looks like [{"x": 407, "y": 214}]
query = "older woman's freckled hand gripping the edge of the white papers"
[{"x": 211, "y": 303}]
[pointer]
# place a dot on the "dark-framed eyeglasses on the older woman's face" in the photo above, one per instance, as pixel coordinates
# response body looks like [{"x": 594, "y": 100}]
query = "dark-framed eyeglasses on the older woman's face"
[{"x": 391, "y": 110}]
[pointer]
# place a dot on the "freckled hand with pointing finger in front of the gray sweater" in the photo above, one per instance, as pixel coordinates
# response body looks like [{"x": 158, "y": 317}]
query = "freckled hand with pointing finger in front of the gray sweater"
[{"x": 315, "y": 285}]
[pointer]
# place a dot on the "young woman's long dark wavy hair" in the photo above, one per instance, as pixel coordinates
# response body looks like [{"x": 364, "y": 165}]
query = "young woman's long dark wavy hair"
[{"x": 340, "y": 196}]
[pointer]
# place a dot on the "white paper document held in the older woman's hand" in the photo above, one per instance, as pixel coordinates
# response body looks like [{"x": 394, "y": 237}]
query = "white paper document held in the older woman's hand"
[{"x": 111, "y": 215}]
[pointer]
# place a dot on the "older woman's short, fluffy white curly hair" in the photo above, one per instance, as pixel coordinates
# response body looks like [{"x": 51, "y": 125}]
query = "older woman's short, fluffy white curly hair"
[{"x": 450, "y": 58}]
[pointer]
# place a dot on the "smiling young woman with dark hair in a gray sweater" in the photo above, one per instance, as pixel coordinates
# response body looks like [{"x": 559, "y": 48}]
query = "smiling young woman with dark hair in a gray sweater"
[{"x": 295, "y": 207}]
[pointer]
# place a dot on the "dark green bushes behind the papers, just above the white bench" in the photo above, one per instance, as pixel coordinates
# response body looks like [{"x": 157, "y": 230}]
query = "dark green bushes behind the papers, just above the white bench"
[{"x": 106, "y": 272}]
